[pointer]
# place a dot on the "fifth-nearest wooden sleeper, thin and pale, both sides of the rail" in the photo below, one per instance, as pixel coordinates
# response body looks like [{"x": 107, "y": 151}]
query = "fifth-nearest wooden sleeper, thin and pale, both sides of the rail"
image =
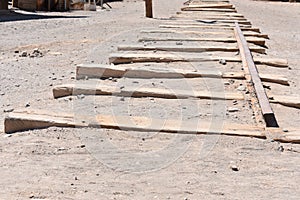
[{"x": 182, "y": 48}]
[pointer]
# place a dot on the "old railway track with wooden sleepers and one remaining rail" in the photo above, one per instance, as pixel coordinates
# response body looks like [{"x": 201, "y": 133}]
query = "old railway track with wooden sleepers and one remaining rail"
[{"x": 204, "y": 61}]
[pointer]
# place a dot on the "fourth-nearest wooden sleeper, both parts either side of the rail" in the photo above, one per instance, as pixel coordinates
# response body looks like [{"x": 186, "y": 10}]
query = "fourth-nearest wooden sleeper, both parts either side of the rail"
[{"x": 124, "y": 58}]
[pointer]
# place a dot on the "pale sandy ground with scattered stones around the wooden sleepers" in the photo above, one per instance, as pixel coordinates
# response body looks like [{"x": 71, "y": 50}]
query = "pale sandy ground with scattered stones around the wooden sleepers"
[{"x": 58, "y": 163}]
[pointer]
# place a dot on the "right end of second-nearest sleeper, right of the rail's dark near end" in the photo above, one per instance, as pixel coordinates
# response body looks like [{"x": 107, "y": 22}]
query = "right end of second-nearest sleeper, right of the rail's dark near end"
[{"x": 289, "y": 101}]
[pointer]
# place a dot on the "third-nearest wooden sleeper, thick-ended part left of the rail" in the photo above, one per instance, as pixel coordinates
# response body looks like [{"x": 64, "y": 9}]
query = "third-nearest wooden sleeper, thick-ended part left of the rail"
[{"x": 106, "y": 71}]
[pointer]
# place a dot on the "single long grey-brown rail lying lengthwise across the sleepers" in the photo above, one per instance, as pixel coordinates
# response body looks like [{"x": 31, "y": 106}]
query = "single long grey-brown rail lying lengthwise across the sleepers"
[{"x": 248, "y": 63}]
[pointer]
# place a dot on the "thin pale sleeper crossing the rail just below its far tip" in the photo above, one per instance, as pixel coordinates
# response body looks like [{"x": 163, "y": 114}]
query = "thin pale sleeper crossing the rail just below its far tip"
[{"x": 207, "y": 27}]
